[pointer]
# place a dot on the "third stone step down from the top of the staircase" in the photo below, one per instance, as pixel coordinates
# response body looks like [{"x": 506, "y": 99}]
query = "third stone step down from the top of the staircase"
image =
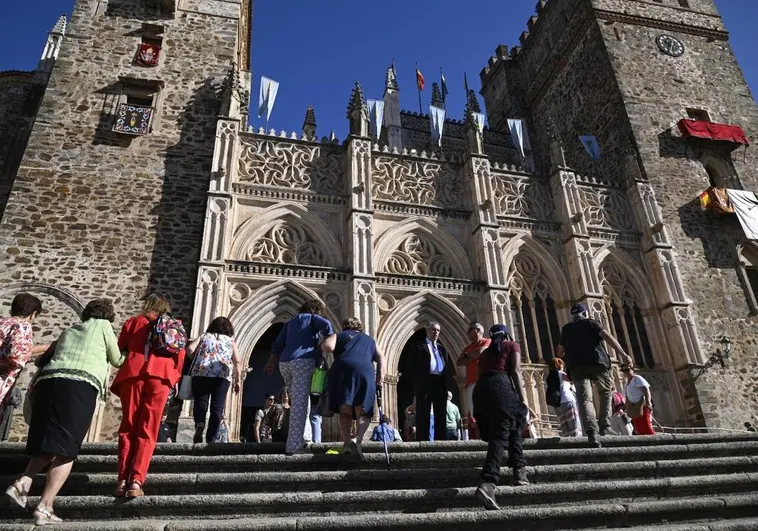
[{"x": 82, "y": 483}]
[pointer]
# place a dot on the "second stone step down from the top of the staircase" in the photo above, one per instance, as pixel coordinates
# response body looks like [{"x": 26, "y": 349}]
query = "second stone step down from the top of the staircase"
[{"x": 14, "y": 463}]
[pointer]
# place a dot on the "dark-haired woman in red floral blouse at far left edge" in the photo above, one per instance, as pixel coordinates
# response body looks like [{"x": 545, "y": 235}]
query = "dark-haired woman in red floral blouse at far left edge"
[{"x": 16, "y": 339}]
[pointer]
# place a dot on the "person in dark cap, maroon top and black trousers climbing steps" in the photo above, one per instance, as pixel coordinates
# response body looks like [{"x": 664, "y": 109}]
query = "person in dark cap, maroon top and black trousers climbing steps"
[{"x": 500, "y": 412}]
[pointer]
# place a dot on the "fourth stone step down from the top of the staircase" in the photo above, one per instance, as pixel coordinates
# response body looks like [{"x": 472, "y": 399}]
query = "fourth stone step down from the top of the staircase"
[{"x": 398, "y": 501}]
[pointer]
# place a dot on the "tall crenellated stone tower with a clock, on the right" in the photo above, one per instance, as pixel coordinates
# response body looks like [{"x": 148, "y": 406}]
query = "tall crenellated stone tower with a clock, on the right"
[{"x": 628, "y": 72}]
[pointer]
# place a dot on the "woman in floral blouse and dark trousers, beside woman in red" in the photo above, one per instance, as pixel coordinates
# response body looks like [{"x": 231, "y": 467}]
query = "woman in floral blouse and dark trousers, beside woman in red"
[{"x": 215, "y": 365}]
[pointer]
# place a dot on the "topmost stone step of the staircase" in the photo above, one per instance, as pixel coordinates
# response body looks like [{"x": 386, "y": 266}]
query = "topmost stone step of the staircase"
[{"x": 414, "y": 447}]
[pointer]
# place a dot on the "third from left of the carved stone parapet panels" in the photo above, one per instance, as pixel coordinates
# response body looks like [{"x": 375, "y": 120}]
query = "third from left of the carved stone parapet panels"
[{"x": 522, "y": 197}]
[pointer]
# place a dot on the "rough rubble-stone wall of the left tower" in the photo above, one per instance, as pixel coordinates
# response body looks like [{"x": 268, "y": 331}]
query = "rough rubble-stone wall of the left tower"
[{"x": 107, "y": 215}]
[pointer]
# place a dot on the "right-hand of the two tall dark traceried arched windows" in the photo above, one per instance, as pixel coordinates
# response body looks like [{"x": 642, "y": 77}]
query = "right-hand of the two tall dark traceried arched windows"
[{"x": 626, "y": 315}]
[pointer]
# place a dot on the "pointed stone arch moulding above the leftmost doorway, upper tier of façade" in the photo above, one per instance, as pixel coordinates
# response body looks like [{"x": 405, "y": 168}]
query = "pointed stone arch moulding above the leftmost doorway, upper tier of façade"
[{"x": 292, "y": 215}]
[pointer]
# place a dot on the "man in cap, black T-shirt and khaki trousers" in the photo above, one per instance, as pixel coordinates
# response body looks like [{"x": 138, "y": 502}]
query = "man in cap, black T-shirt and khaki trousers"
[{"x": 587, "y": 362}]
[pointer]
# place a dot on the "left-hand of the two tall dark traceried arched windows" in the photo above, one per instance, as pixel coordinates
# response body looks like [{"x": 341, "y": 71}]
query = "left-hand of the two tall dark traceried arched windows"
[{"x": 534, "y": 320}]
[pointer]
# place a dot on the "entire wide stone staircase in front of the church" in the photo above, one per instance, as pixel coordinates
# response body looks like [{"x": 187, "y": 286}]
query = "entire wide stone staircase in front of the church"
[{"x": 701, "y": 482}]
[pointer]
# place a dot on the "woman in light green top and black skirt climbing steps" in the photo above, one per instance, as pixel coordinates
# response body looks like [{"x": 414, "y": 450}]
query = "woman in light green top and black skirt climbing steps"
[{"x": 65, "y": 395}]
